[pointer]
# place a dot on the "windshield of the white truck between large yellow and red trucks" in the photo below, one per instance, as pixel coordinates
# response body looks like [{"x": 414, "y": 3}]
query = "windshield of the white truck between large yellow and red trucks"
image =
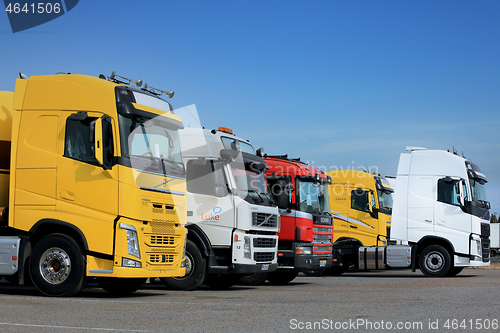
[{"x": 252, "y": 186}]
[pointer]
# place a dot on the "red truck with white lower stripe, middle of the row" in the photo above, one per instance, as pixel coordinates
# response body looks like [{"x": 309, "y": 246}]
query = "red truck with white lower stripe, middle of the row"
[{"x": 305, "y": 237}]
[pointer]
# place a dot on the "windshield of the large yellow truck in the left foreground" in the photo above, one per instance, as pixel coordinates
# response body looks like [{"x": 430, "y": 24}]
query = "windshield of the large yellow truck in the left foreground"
[{"x": 151, "y": 144}]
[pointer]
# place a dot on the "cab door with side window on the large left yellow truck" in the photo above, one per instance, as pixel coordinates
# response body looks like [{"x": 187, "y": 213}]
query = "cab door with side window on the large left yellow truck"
[{"x": 87, "y": 193}]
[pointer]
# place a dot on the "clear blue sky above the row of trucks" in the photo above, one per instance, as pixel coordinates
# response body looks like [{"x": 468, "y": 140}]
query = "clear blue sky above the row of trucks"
[{"x": 340, "y": 84}]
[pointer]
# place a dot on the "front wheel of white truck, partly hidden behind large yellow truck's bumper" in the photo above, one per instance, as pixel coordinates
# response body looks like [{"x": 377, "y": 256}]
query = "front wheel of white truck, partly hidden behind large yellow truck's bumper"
[{"x": 195, "y": 270}]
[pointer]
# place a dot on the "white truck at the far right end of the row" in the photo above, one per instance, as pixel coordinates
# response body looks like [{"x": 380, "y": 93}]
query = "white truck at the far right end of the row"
[{"x": 440, "y": 217}]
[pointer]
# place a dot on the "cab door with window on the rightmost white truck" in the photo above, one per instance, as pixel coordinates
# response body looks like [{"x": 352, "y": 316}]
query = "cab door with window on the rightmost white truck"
[{"x": 450, "y": 220}]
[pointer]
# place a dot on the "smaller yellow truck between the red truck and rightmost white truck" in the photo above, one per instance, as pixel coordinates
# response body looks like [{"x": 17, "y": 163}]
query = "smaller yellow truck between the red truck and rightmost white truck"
[{"x": 356, "y": 224}]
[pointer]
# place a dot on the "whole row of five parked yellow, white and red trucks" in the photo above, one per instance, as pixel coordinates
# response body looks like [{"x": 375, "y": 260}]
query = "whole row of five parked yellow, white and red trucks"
[{"x": 101, "y": 181}]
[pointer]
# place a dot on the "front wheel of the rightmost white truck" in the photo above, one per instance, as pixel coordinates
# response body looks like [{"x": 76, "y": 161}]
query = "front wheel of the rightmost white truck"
[{"x": 435, "y": 261}]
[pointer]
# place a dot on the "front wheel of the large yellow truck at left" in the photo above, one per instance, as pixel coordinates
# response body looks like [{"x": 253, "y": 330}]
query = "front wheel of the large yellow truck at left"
[{"x": 57, "y": 266}]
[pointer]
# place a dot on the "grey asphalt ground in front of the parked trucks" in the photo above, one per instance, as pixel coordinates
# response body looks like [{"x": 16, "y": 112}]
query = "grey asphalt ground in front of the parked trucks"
[{"x": 382, "y": 301}]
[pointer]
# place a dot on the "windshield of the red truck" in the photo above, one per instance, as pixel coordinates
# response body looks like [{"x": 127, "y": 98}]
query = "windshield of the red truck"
[{"x": 313, "y": 198}]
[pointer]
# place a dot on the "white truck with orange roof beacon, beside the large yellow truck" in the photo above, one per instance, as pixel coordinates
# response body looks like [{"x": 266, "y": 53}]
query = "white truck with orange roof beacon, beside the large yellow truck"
[{"x": 232, "y": 218}]
